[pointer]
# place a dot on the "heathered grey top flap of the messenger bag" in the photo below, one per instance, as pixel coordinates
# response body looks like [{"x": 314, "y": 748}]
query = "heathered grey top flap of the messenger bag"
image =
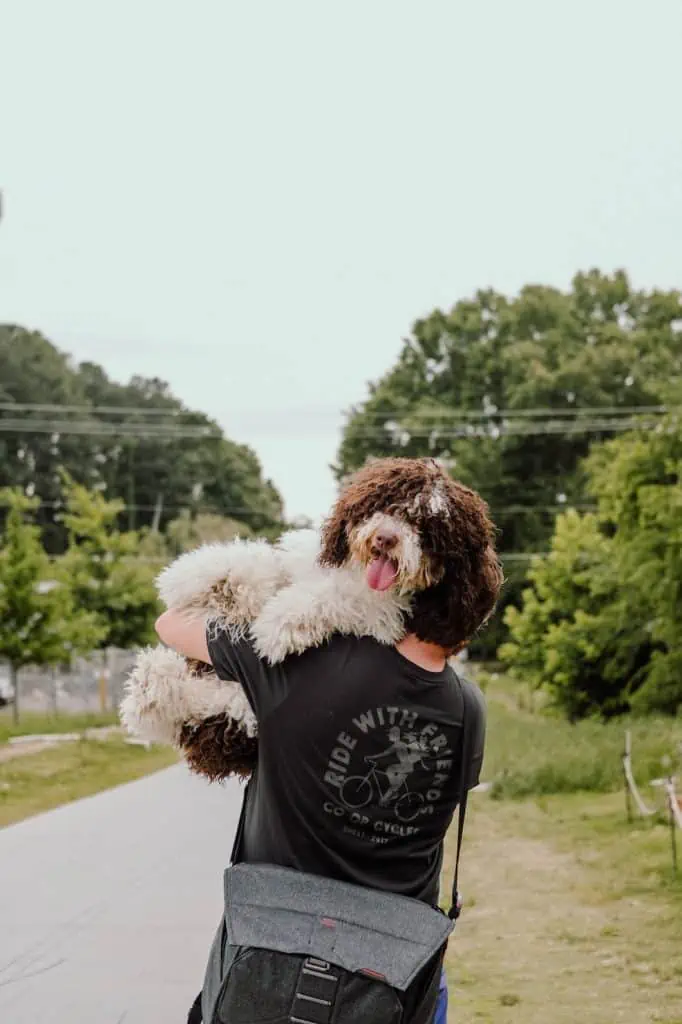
[{"x": 361, "y": 930}]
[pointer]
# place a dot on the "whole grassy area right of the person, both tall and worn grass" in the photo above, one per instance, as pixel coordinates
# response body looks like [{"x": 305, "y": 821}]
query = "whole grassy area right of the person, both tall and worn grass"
[{"x": 571, "y": 912}]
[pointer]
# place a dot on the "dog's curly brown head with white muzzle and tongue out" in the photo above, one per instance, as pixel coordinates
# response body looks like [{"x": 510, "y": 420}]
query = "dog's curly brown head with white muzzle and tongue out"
[{"x": 417, "y": 532}]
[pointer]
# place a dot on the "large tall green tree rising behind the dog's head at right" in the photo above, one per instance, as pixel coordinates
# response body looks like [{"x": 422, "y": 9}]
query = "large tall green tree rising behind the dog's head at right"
[{"x": 601, "y": 346}]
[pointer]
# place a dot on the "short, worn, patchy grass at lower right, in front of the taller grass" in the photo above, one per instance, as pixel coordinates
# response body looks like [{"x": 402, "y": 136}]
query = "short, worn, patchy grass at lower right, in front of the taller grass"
[{"x": 570, "y": 915}]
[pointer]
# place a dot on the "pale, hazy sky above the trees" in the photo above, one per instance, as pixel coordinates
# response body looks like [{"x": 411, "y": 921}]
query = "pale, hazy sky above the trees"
[{"x": 254, "y": 201}]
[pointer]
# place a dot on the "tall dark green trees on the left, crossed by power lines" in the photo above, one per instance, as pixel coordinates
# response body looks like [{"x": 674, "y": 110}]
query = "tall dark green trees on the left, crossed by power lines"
[{"x": 155, "y": 477}]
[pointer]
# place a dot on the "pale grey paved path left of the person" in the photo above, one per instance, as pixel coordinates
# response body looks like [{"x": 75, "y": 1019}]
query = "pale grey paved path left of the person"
[{"x": 108, "y": 907}]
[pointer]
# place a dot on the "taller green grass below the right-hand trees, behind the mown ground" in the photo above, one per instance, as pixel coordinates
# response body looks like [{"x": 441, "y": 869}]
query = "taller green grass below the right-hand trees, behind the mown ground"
[{"x": 533, "y": 753}]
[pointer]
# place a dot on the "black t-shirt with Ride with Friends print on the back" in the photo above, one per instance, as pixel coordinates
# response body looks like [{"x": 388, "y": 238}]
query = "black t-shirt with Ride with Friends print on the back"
[{"x": 360, "y": 761}]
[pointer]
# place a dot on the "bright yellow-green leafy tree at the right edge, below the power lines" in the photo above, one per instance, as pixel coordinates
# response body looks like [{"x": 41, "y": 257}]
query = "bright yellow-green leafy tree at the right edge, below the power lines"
[{"x": 602, "y": 623}]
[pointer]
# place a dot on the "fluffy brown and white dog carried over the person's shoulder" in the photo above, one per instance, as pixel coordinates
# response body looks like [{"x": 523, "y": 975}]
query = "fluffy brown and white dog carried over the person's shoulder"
[{"x": 406, "y": 549}]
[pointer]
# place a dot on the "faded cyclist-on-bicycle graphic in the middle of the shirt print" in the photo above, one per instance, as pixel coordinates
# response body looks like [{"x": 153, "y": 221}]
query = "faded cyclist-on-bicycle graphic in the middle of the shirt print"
[{"x": 388, "y": 778}]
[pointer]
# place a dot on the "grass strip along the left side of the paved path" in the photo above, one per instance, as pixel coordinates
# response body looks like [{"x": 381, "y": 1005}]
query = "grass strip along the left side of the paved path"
[{"x": 48, "y": 780}]
